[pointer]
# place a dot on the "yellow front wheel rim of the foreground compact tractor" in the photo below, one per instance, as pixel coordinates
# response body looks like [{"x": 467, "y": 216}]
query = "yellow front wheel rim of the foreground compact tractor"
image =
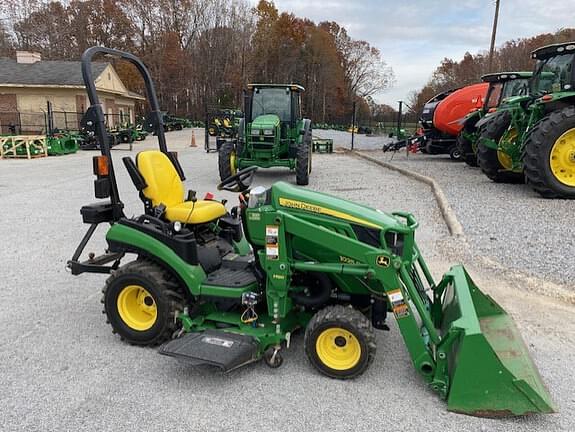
[{"x": 338, "y": 348}]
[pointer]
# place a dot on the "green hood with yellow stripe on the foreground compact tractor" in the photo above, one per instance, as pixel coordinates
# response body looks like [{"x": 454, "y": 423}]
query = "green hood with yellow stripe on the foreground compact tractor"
[{"x": 288, "y": 197}]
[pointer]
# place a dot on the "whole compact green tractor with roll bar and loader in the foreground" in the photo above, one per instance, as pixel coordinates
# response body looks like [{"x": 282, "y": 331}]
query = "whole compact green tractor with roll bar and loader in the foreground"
[{"x": 230, "y": 287}]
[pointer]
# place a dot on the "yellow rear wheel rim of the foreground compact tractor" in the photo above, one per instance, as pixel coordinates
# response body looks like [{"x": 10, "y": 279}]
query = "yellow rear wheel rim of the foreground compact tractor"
[{"x": 137, "y": 307}]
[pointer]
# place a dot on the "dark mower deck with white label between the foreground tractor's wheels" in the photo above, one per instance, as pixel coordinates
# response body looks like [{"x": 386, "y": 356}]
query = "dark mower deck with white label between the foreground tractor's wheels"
[{"x": 227, "y": 351}]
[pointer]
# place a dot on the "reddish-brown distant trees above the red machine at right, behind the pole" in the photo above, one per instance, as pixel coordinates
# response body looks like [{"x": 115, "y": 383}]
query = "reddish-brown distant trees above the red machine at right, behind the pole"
[{"x": 513, "y": 55}]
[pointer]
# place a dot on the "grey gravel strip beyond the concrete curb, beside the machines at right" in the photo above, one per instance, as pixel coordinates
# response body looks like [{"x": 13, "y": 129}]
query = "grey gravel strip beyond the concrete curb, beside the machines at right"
[{"x": 510, "y": 223}]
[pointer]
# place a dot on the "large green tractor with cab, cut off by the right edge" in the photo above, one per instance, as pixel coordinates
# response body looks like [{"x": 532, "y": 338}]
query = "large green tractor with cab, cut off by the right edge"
[{"x": 535, "y": 134}]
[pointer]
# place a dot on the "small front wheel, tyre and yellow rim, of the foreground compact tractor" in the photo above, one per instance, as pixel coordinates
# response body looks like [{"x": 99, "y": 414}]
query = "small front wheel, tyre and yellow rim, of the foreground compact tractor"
[{"x": 340, "y": 342}]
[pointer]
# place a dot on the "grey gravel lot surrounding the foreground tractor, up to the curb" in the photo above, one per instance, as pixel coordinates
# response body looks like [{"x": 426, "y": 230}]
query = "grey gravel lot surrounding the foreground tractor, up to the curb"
[{"x": 62, "y": 369}]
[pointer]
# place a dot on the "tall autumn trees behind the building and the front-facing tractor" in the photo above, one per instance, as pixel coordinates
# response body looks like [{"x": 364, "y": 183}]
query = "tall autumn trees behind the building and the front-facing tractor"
[{"x": 202, "y": 53}]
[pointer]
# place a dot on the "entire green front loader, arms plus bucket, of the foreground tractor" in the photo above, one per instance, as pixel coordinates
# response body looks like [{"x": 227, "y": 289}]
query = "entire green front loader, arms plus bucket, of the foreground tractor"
[{"x": 464, "y": 345}]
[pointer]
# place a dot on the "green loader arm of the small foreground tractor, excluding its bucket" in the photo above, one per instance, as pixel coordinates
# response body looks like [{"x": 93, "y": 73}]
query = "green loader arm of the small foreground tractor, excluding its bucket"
[{"x": 391, "y": 271}]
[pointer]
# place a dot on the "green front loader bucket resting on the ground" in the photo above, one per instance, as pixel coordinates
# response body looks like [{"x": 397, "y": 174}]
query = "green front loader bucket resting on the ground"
[{"x": 489, "y": 368}]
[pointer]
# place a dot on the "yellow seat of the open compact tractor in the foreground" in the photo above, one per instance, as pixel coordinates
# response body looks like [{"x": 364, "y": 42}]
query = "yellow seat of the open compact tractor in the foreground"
[{"x": 164, "y": 186}]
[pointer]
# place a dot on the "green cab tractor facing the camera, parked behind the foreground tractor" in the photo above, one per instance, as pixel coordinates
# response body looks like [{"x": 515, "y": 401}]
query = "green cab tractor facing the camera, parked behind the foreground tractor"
[{"x": 272, "y": 133}]
